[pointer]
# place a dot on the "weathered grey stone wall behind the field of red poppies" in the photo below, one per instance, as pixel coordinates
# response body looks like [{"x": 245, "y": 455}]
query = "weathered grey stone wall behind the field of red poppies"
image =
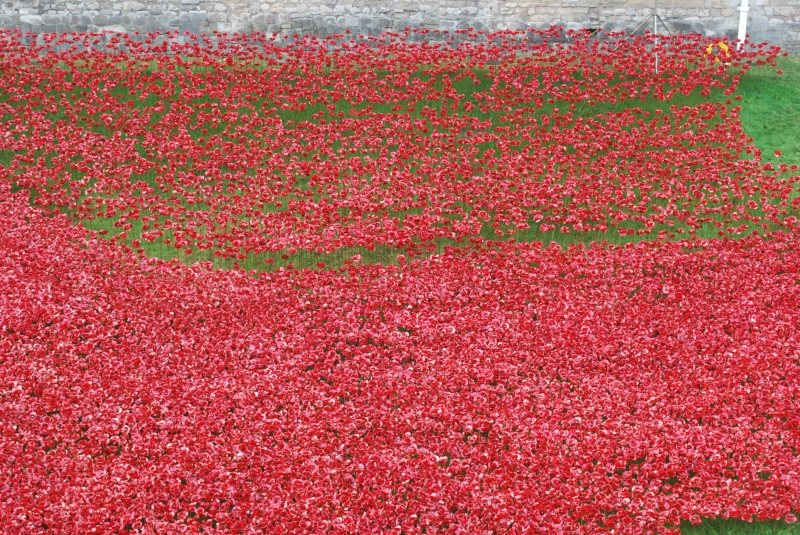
[{"x": 775, "y": 21}]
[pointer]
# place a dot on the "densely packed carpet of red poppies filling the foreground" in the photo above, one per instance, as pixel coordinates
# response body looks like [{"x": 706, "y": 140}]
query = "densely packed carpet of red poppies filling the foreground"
[{"x": 506, "y": 387}]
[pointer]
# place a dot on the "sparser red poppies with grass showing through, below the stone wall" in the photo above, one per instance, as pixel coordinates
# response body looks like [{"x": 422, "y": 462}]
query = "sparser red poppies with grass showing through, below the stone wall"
[{"x": 197, "y": 149}]
